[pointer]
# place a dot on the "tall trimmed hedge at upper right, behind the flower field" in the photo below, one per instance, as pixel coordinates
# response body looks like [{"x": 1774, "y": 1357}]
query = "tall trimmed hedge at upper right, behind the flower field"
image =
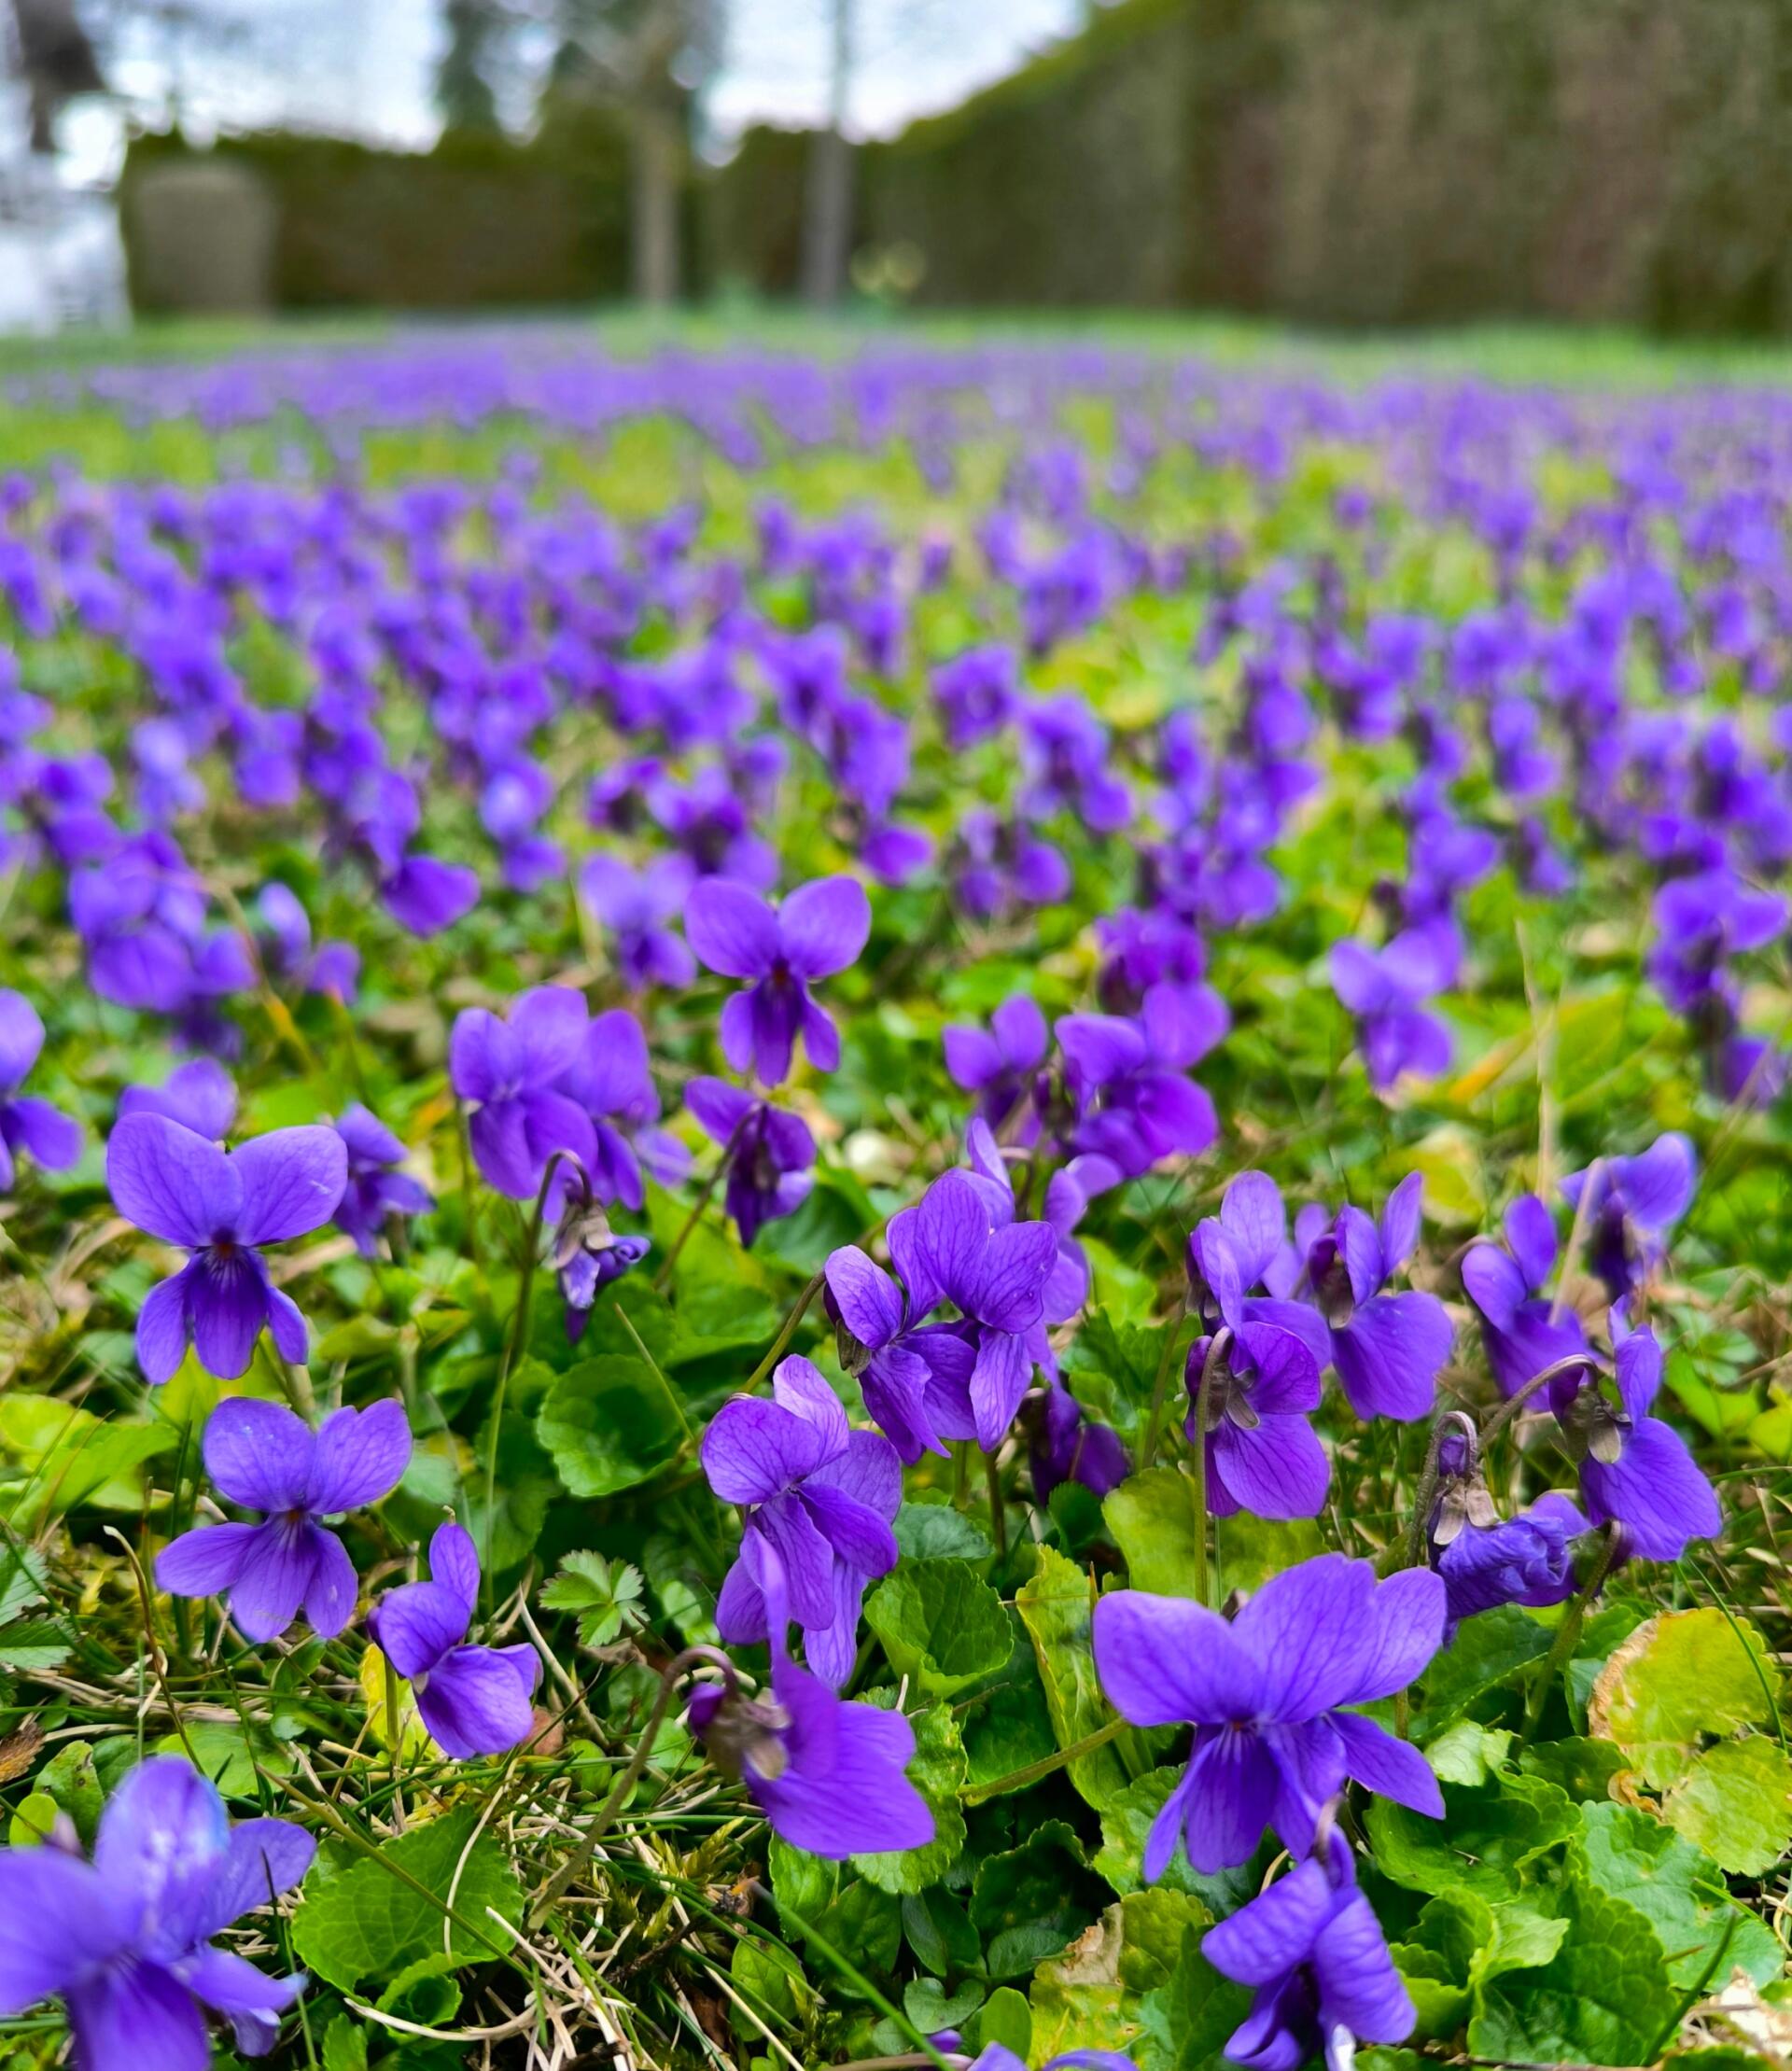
[{"x": 1370, "y": 163}]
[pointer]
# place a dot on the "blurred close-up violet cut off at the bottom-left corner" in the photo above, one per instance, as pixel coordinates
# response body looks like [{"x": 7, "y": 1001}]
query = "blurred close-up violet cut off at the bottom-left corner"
[{"x": 127, "y": 1939}]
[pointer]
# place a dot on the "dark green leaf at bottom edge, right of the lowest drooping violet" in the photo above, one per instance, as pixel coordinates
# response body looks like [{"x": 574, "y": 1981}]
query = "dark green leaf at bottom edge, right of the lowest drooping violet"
[{"x": 1602, "y": 2000}]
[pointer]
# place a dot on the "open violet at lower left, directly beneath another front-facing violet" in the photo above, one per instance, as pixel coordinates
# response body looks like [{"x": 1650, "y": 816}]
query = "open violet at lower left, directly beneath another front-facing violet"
[{"x": 266, "y": 1459}]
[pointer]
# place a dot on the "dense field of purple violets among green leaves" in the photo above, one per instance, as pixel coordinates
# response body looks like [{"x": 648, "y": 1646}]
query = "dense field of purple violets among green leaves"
[{"x": 923, "y": 1208}]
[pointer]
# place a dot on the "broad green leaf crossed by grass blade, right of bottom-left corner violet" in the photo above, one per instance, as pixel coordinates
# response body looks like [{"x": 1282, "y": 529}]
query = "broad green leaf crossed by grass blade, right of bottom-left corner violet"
[{"x": 370, "y": 1923}]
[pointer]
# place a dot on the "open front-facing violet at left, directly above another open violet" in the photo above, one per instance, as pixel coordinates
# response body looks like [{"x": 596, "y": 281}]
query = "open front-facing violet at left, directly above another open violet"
[{"x": 221, "y": 1206}]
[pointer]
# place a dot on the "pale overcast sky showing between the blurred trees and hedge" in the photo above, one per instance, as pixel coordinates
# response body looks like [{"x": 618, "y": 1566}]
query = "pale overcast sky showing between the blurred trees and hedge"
[{"x": 364, "y": 67}]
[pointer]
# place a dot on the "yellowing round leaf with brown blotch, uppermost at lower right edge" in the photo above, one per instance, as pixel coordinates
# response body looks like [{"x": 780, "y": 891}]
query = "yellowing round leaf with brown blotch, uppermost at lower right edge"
[{"x": 1675, "y": 1681}]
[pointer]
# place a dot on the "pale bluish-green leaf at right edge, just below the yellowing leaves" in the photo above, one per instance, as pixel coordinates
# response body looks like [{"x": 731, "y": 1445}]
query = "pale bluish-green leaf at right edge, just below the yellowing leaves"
[{"x": 1636, "y": 1859}]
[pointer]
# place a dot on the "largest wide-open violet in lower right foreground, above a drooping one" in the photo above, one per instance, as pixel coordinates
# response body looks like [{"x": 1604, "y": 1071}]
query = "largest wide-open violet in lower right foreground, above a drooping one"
[{"x": 1267, "y": 1693}]
